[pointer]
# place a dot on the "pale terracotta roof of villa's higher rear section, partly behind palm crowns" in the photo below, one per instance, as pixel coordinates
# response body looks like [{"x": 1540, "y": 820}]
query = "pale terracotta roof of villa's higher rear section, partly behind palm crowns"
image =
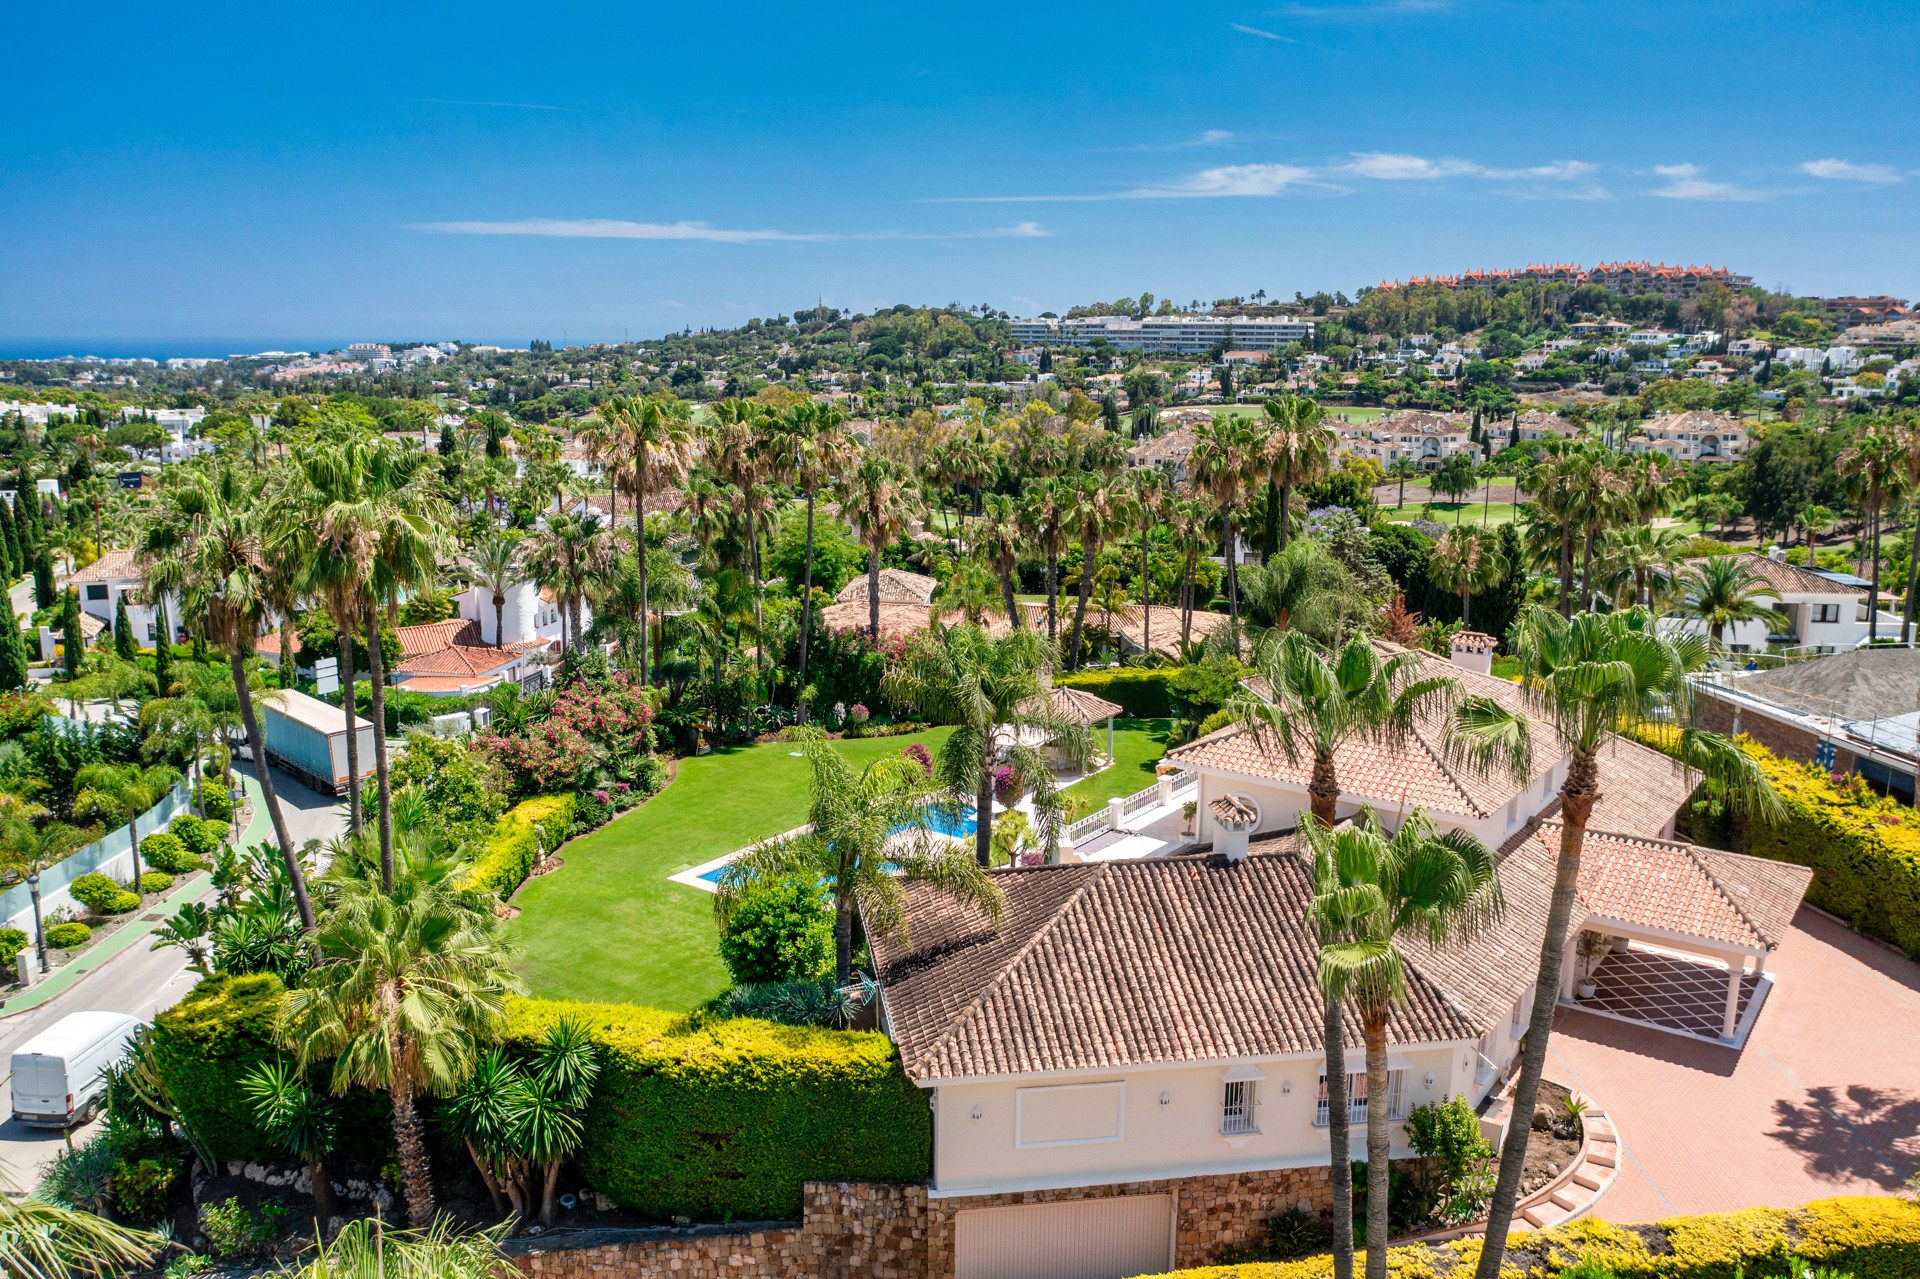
[{"x": 1416, "y": 775}]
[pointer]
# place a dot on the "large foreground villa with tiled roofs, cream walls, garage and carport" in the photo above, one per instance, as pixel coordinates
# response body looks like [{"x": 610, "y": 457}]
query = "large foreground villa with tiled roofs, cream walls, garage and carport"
[{"x": 1140, "y": 1042}]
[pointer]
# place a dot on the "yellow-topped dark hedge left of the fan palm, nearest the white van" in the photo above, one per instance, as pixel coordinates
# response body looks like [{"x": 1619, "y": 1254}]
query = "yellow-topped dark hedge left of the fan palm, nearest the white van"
[{"x": 204, "y": 1046}]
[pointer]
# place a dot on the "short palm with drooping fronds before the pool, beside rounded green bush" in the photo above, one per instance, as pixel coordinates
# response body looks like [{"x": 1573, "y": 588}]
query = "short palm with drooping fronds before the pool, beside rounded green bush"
[{"x": 865, "y": 827}]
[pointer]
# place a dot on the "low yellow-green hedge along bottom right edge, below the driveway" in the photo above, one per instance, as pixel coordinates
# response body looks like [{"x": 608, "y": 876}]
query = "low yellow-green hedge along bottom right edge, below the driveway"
[{"x": 1863, "y": 1238}]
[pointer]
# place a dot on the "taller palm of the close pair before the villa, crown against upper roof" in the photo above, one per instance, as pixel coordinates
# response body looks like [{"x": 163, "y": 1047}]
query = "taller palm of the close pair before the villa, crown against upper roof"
[{"x": 1316, "y": 708}]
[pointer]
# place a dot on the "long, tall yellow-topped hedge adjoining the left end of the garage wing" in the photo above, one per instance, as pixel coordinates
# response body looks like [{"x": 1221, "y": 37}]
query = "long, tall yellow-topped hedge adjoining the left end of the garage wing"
[{"x": 725, "y": 1119}]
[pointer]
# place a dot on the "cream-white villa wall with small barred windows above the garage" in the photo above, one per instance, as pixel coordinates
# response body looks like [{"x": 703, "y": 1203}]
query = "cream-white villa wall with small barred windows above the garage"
[{"x": 1174, "y": 1140}]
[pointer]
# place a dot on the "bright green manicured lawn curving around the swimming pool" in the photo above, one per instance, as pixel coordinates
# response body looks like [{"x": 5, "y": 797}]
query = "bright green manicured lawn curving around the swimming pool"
[{"x": 612, "y": 929}]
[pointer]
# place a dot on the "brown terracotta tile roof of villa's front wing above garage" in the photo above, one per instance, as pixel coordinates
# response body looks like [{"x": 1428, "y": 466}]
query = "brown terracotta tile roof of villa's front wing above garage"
[{"x": 1111, "y": 965}]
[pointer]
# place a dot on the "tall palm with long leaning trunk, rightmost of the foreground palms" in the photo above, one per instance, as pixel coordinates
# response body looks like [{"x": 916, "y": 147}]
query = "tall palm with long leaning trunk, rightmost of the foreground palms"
[{"x": 1589, "y": 679}]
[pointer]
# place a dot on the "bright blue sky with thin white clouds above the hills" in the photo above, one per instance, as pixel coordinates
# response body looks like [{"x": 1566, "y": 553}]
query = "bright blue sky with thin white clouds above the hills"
[{"x": 583, "y": 172}]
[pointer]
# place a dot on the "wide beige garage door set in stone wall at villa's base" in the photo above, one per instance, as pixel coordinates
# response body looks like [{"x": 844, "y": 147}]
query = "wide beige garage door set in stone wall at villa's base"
[{"x": 1076, "y": 1240}]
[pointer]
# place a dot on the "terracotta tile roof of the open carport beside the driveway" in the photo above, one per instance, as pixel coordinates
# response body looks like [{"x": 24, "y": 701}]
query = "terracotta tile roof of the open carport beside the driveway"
[{"x": 1727, "y": 898}]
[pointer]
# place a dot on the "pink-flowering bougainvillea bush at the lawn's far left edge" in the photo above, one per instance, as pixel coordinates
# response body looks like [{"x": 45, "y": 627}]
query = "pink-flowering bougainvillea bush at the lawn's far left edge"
[{"x": 590, "y": 729}]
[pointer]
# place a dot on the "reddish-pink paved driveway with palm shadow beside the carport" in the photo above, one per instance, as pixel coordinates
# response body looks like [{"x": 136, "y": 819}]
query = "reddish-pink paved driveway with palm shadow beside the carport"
[{"x": 1823, "y": 1101}]
